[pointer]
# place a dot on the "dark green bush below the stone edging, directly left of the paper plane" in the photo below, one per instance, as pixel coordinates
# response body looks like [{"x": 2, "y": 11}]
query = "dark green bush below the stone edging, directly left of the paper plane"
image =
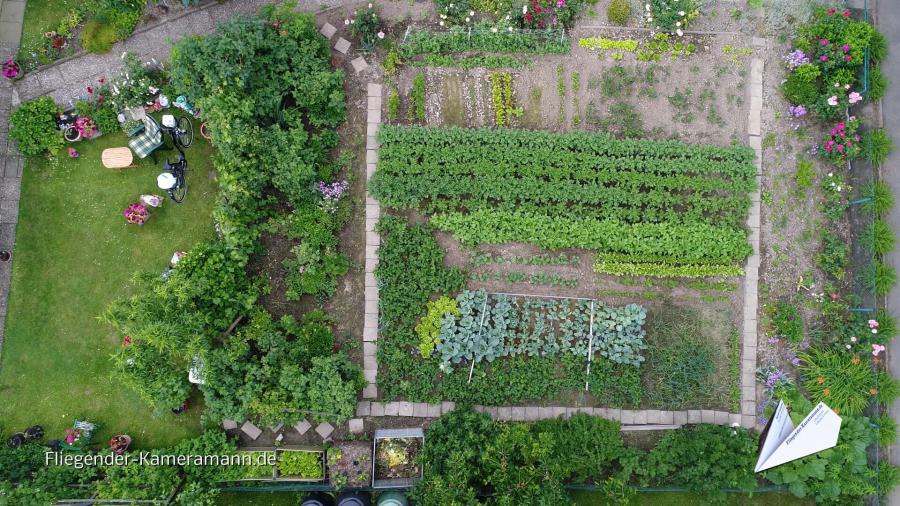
[{"x": 705, "y": 459}]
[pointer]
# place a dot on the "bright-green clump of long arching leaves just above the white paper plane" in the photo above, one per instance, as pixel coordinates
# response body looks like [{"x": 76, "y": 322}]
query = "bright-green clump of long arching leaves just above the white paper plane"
[{"x": 841, "y": 380}]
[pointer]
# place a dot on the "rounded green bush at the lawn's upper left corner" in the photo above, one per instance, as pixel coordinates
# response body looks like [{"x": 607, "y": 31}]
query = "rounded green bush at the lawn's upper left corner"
[{"x": 33, "y": 127}]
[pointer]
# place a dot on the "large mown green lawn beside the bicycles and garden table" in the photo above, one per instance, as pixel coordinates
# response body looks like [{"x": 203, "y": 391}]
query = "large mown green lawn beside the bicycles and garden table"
[{"x": 73, "y": 255}]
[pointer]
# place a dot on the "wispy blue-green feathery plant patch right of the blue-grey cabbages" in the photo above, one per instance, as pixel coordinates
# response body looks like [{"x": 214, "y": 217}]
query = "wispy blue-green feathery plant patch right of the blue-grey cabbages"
[{"x": 680, "y": 360}]
